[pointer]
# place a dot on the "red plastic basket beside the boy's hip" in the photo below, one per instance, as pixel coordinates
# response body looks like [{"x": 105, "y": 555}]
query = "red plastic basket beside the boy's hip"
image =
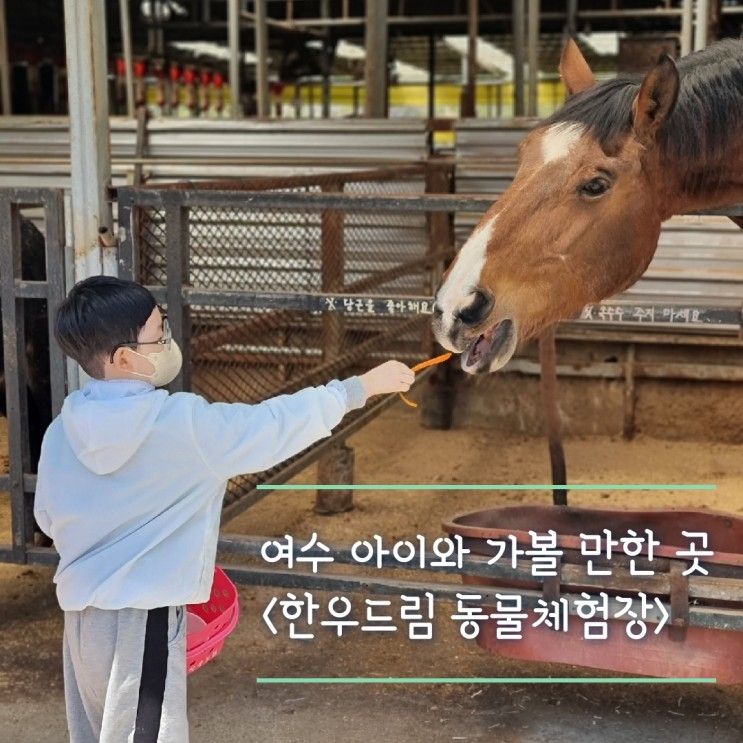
[{"x": 211, "y": 622}]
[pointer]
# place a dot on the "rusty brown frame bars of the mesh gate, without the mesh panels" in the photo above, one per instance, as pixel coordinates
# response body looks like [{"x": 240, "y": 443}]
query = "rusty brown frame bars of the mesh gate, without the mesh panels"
[{"x": 329, "y": 200}]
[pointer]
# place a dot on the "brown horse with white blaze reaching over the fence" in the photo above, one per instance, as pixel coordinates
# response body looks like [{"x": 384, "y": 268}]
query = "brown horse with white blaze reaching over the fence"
[{"x": 581, "y": 219}]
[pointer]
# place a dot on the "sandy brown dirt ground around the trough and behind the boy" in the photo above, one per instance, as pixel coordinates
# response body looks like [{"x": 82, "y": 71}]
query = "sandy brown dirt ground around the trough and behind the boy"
[{"x": 225, "y": 704}]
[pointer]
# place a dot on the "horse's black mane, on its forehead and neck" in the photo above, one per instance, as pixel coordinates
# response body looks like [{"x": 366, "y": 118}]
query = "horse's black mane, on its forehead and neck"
[{"x": 708, "y": 109}]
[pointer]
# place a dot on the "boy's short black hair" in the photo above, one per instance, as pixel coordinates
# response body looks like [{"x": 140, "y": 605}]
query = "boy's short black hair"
[{"x": 99, "y": 313}]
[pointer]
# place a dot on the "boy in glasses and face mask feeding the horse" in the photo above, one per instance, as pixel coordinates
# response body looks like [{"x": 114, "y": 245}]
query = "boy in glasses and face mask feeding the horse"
[{"x": 130, "y": 488}]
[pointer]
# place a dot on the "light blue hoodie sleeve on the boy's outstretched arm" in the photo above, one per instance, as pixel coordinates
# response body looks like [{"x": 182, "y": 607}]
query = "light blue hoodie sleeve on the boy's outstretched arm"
[{"x": 236, "y": 439}]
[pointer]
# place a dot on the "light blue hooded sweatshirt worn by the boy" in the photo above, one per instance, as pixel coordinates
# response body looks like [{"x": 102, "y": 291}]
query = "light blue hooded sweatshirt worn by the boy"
[{"x": 131, "y": 480}]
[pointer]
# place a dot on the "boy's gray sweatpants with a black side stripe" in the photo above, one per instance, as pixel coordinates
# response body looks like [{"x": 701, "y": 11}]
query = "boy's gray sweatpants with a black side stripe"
[{"x": 125, "y": 675}]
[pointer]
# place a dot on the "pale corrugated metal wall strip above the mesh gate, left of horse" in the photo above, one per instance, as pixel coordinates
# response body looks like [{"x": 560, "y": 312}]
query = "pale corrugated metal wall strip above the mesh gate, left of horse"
[{"x": 35, "y": 151}]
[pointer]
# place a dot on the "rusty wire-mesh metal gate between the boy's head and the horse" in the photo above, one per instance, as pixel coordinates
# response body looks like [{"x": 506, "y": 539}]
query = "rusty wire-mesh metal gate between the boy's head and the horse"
[{"x": 273, "y": 284}]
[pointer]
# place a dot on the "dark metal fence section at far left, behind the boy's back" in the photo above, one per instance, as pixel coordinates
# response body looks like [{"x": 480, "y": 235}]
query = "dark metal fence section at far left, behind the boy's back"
[{"x": 31, "y": 281}]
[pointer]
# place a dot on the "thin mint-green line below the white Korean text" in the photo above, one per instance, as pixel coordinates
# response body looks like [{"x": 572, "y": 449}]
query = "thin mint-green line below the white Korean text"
[{"x": 486, "y": 680}]
